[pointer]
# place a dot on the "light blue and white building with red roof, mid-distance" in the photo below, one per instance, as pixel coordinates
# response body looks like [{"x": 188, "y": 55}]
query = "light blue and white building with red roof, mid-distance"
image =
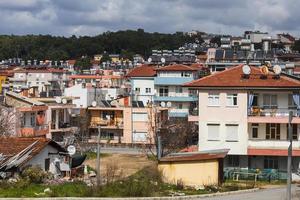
[{"x": 169, "y": 91}]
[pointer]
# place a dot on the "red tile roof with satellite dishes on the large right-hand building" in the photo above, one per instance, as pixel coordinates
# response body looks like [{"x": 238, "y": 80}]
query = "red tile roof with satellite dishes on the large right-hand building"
[{"x": 233, "y": 77}]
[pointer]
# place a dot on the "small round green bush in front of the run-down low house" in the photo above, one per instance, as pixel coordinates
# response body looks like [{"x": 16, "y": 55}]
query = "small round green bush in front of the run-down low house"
[{"x": 34, "y": 174}]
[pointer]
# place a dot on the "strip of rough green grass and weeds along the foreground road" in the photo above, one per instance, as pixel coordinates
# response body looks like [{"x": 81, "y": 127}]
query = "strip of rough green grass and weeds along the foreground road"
[{"x": 146, "y": 182}]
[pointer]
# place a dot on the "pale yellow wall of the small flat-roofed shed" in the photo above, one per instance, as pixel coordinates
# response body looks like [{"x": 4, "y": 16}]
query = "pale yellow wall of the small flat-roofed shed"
[{"x": 191, "y": 173}]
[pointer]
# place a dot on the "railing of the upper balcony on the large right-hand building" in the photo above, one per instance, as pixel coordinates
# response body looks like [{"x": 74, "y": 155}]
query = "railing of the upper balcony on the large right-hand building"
[{"x": 271, "y": 111}]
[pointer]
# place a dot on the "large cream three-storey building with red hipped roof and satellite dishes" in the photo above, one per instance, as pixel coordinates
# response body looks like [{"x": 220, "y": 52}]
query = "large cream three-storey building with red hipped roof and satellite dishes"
[{"x": 248, "y": 114}]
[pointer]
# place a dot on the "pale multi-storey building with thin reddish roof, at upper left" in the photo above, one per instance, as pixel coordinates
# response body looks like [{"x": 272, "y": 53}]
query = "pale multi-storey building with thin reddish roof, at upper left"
[{"x": 46, "y": 82}]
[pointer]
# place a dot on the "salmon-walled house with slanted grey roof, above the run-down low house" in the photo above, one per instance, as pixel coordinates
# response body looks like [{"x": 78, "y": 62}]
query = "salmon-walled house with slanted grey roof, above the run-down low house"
[{"x": 30, "y": 115}]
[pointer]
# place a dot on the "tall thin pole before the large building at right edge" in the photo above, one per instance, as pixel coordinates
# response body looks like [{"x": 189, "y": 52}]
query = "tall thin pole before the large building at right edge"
[{"x": 289, "y": 164}]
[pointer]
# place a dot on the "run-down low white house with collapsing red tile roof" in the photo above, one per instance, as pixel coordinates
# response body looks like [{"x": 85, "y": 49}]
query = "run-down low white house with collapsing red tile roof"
[{"x": 17, "y": 153}]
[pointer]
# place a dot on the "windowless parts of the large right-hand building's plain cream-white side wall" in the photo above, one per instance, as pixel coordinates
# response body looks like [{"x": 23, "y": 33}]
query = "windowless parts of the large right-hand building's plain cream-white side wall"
[{"x": 223, "y": 115}]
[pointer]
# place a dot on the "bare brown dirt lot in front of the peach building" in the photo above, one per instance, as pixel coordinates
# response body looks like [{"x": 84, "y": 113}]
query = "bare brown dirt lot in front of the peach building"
[{"x": 129, "y": 164}]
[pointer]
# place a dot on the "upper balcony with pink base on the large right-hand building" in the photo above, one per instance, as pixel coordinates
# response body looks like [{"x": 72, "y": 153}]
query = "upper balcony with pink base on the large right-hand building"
[{"x": 258, "y": 114}]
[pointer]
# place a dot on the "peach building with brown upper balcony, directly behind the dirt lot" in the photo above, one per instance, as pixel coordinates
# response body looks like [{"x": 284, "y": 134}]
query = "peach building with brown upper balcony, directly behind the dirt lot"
[{"x": 123, "y": 121}]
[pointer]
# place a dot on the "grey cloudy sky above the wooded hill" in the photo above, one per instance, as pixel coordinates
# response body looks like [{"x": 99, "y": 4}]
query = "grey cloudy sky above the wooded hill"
[{"x": 91, "y": 17}]
